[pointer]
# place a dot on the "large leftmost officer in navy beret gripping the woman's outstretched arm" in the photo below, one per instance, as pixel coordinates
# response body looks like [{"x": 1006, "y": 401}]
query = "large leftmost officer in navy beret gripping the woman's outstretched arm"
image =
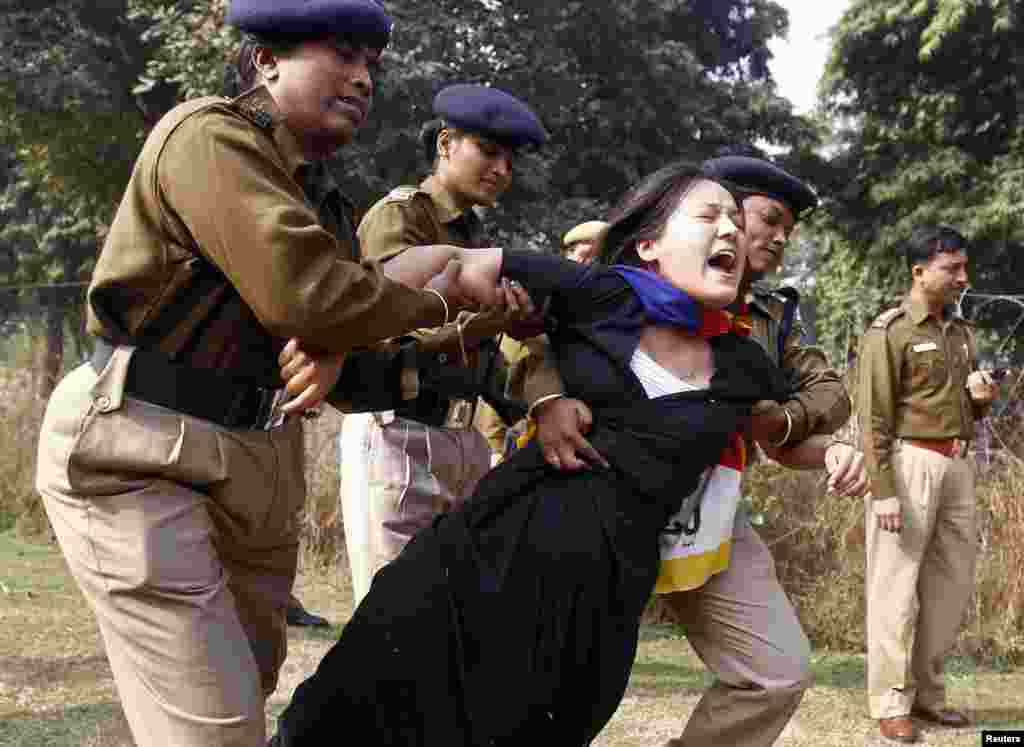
[{"x": 172, "y": 481}]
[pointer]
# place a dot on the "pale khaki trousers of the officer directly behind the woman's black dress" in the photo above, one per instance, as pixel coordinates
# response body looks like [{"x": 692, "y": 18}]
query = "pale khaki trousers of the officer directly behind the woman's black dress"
[{"x": 396, "y": 479}]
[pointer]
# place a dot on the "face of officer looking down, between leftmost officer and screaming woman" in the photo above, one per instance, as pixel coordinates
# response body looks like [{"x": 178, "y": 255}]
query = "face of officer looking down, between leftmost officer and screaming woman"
[{"x": 474, "y": 169}]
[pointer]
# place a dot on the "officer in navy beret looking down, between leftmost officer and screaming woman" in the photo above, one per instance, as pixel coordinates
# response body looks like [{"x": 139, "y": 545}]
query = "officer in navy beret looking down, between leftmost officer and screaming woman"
[{"x": 402, "y": 468}]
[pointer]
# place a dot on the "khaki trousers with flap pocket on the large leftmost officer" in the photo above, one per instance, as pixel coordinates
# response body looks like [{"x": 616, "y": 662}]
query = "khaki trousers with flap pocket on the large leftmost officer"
[{"x": 184, "y": 538}]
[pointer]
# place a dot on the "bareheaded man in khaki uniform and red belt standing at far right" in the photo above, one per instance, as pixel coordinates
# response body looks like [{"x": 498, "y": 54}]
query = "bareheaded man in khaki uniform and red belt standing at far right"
[{"x": 918, "y": 400}]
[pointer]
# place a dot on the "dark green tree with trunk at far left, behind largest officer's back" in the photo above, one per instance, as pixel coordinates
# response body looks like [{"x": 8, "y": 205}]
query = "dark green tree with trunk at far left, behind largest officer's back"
[{"x": 70, "y": 129}]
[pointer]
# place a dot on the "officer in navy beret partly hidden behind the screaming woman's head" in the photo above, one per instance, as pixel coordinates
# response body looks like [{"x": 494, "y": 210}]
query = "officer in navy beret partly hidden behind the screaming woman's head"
[{"x": 741, "y": 622}]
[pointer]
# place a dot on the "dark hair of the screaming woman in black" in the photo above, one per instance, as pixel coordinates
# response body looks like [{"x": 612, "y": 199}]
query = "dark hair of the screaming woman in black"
[{"x": 646, "y": 211}]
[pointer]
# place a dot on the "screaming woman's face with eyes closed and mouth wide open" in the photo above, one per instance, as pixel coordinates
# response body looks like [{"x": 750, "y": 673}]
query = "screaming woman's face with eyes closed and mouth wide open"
[{"x": 700, "y": 251}]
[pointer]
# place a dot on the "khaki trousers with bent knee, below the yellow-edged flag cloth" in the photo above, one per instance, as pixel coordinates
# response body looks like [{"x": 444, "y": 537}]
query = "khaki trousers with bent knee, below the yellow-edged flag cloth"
[{"x": 743, "y": 627}]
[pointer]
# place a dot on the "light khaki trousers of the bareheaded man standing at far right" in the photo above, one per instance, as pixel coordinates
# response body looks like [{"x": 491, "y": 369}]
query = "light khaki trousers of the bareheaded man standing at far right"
[{"x": 919, "y": 582}]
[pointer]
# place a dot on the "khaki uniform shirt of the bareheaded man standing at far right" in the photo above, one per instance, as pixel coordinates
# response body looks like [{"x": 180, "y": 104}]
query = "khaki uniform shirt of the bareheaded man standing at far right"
[{"x": 913, "y": 371}]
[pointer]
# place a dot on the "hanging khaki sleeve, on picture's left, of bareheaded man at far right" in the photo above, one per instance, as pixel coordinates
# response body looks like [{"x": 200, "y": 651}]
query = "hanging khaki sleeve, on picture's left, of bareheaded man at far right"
[{"x": 879, "y": 382}]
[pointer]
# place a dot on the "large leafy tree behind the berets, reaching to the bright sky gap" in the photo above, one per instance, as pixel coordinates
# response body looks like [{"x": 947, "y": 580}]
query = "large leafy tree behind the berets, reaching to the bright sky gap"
[{"x": 622, "y": 87}]
